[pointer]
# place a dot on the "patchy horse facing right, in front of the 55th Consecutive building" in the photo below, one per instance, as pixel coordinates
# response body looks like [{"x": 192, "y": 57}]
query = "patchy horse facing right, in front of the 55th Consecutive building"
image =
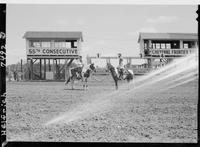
[{"x": 78, "y": 74}]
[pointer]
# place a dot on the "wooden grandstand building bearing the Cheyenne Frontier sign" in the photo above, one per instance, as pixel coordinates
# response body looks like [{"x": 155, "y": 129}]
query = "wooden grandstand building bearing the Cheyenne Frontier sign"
[{"x": 154, "y": 46}]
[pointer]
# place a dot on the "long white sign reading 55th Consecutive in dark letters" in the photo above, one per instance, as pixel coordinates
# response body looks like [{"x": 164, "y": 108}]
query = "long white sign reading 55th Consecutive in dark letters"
[{"x": 52, "y": 51}]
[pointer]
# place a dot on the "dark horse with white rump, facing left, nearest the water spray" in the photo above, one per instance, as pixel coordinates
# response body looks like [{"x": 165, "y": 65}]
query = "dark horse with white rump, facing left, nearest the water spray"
[{"x": 126, "y": 75}]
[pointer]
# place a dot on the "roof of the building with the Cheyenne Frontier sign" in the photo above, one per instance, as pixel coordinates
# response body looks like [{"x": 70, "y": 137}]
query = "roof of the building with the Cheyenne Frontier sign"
[{"x": 168, "y": 36}]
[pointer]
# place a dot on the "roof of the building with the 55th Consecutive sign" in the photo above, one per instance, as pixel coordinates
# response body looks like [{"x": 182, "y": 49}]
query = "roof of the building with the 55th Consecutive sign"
[{"x": 63, "y": 35}]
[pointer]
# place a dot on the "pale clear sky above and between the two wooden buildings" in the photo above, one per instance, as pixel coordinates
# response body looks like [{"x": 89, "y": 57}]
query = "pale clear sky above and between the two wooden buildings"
[{"x": 107, "y": 29}]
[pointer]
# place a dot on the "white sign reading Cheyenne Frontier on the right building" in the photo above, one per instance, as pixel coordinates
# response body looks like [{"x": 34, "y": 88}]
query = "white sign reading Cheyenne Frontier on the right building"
[{"x": 171, "y": 51}]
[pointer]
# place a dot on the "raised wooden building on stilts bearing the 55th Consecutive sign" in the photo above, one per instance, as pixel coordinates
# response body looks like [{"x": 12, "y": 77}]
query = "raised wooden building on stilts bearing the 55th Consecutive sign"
[{"x": 51, "y": 49}]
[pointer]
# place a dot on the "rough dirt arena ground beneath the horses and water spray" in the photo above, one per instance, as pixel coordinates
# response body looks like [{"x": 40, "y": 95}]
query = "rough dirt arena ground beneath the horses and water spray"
[{"x": 148, "y": 115}]
